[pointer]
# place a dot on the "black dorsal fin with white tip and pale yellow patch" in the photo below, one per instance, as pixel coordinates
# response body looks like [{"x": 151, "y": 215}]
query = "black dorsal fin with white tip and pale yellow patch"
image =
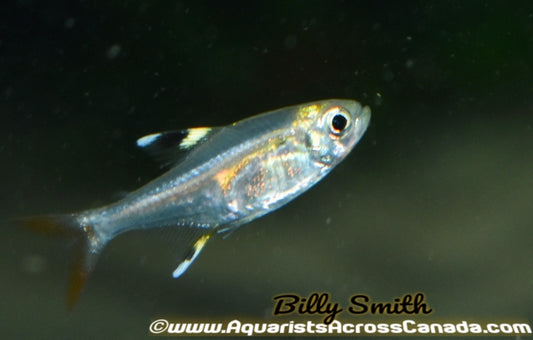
[{"x": 169, "y": 146}]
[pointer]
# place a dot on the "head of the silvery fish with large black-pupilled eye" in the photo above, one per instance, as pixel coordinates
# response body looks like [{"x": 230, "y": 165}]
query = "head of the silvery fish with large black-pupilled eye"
[{"x": 333, "y": 129}]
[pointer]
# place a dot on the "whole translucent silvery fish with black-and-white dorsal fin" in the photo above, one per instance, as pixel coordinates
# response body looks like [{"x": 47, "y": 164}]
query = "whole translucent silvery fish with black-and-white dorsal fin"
[{"x": 219, "y": 178}]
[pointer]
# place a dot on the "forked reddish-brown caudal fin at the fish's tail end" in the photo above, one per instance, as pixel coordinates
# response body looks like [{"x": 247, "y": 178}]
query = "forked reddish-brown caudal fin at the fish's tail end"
[{"x": 88, "y": 246}]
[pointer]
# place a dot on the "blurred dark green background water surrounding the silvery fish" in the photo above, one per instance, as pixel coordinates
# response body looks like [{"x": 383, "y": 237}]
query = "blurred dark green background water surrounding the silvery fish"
[{"x": 436, "y": 198}]
